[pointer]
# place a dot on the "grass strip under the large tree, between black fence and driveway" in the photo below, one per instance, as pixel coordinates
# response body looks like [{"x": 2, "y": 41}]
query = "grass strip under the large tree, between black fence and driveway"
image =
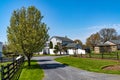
[{"x": 34, "y": 72}]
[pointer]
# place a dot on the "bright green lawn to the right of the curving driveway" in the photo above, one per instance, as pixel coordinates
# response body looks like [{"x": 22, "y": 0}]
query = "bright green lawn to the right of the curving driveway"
[{"x": 94, "y": 65}]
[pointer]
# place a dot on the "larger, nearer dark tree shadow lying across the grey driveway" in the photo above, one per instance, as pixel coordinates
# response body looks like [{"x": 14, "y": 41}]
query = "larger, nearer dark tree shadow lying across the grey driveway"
[{"x": 52, "y": 65}]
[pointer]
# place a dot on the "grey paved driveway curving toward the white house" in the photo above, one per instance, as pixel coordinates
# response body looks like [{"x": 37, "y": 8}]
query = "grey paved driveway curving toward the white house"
[{"x": 56, "y": 71}]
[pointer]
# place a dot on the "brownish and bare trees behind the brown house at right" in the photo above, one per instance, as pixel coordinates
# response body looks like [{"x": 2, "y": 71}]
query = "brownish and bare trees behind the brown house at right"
[{"x": 102, "y": 36}]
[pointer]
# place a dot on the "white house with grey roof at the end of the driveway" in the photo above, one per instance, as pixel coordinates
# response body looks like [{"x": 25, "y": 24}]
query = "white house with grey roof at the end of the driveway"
[{"x": 66, "y": 42}]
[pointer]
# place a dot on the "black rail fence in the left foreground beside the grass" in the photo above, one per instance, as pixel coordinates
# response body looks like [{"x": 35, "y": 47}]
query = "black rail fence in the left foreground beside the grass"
[{"x": 12, "y": 71}]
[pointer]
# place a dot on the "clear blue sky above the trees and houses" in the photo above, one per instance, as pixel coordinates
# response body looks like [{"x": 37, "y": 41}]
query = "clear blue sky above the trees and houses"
[{"x": 76, "y": 19}]
